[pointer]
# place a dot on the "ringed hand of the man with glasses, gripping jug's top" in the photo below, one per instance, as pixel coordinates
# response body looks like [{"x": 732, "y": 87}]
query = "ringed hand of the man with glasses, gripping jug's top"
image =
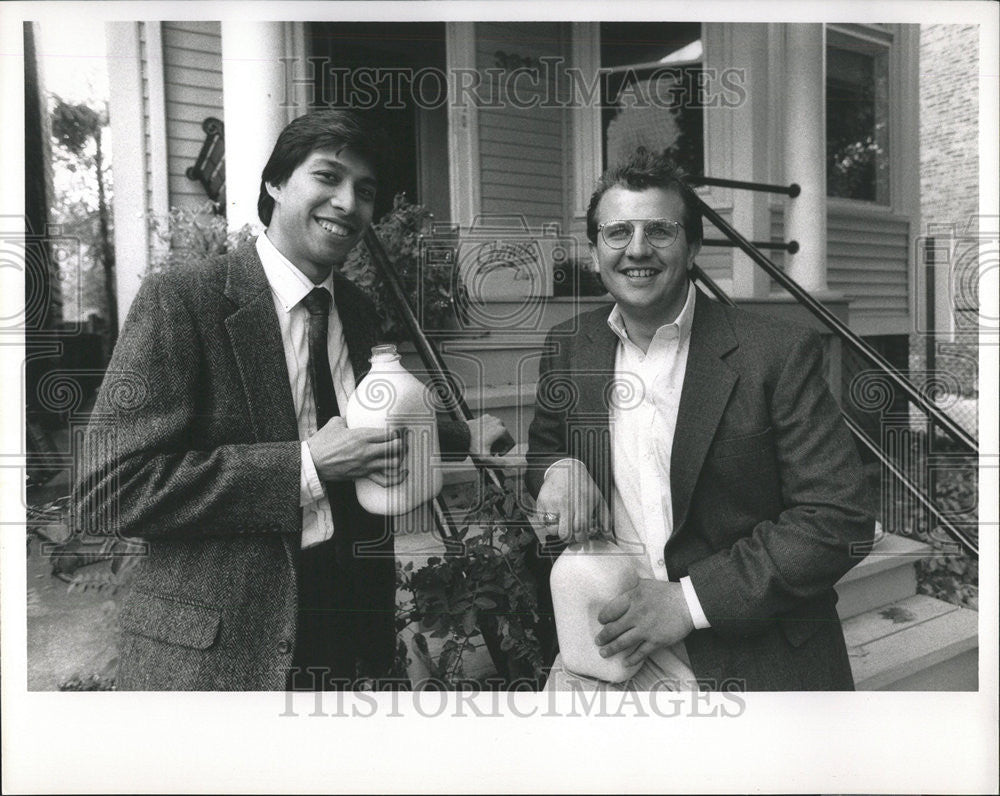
[{"x": 570, "y": 493}]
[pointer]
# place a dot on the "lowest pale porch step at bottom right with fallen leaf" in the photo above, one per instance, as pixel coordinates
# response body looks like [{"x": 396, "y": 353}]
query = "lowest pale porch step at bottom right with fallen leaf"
[{"x": 918, "y": 643}]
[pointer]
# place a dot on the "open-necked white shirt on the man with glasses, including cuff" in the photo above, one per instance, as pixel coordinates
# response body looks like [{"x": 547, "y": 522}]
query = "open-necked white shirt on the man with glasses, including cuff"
[{"x": 642, "y": 437}]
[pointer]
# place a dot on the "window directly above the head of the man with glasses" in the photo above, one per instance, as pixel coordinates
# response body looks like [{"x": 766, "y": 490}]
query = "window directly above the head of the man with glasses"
[{"x": 651, "y": 91}]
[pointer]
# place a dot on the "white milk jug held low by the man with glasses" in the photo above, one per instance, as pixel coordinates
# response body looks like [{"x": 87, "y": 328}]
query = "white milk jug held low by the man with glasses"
[{"x": 584, "y": 579}]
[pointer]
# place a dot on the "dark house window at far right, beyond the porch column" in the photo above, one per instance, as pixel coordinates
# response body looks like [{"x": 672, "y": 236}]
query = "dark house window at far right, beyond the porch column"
[{"x": 857, "y": 118}]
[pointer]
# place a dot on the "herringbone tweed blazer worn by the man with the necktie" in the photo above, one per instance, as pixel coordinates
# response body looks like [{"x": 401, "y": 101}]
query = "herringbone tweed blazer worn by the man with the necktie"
[{"x": 193, "y": 447}]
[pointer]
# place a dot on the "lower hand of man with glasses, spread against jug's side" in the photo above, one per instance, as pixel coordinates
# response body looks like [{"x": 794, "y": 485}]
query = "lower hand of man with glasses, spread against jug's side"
[{"x": 653, "y": 614}]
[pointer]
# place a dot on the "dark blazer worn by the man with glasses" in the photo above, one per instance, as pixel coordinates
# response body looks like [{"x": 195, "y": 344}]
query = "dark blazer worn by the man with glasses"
[{"x": 766, "y": 485}]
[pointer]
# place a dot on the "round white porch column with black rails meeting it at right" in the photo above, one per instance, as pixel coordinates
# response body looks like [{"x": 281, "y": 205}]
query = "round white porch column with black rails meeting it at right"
[{"x": 805, "y": 153}]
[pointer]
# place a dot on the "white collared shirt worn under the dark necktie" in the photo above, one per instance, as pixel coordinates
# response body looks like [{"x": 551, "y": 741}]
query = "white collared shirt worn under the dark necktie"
[{"x": 288, "y": 287}]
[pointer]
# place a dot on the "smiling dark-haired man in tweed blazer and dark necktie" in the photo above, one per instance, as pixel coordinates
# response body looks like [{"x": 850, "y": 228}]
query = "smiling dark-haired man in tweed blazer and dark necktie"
[{"x": 232, "y": 462}]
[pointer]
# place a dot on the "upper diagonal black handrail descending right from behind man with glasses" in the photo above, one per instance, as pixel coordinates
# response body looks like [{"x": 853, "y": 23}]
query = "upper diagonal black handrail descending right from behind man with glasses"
[{"x": 859, "y": 346}]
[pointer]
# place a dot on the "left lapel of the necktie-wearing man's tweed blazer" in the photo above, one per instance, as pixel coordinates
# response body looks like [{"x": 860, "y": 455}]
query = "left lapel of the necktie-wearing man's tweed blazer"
[{"x": 256, "y": 342}]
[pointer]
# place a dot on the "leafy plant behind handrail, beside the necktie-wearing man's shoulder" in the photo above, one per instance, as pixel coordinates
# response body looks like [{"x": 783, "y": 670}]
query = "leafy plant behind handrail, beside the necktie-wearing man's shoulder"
[{"x": 434, "y": 293}]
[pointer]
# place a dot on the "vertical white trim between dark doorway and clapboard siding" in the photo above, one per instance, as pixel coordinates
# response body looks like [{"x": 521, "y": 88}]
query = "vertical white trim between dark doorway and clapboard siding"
[{"x": 463, "y": 130}]
